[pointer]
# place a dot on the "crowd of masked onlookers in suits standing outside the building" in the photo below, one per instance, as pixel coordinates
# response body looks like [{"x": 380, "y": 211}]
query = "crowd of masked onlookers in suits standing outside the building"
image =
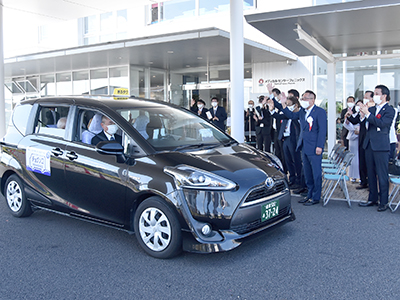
[{"x": 295, "y": 129}]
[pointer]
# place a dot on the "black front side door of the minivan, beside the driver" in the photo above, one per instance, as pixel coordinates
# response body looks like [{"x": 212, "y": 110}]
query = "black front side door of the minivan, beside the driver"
[{"x": 96, "y": 183}]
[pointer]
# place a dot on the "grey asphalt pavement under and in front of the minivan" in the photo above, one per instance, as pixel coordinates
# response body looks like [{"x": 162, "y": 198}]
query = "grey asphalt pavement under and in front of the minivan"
[{"x": 332, "y": 252}]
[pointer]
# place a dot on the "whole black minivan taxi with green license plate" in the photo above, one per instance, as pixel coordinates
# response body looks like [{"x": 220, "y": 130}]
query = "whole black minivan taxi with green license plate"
[{"x": 177, "y": 181}]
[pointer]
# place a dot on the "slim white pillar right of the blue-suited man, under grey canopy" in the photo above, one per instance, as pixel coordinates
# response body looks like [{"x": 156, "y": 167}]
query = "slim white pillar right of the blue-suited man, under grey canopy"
[{"x": 331, "y": 70}]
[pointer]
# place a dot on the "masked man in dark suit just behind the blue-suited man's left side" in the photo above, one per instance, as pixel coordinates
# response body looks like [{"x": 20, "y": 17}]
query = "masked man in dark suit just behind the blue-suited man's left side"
[{"x": 289, "y": 134}]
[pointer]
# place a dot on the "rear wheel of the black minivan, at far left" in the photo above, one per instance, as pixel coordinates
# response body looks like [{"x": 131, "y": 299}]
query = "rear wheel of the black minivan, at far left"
[{"x": 14, "y": 194}]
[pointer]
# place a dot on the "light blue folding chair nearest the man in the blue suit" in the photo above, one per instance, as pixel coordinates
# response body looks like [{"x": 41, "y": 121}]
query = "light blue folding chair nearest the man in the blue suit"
[{"x": 339, "y": 178}]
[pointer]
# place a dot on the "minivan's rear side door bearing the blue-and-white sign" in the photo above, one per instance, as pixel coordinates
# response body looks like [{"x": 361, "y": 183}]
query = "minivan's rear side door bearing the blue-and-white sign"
[{"x": 43, "y": 150}]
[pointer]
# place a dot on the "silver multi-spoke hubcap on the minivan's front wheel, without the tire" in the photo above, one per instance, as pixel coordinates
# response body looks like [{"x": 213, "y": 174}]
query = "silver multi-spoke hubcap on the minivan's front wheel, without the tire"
[{"x": 155, "y": 229}]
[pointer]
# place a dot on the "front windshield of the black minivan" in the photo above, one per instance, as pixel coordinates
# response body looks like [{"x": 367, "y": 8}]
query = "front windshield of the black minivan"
[{"x": 168, "y": 128}]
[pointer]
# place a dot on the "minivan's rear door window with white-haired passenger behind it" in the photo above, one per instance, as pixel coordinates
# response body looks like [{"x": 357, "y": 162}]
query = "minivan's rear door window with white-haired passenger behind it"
[{"x": 51, "y": 120}]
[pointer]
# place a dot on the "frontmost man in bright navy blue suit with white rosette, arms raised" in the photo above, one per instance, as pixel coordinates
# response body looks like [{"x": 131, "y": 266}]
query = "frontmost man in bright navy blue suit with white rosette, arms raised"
[{"x": 313, "y": 127}]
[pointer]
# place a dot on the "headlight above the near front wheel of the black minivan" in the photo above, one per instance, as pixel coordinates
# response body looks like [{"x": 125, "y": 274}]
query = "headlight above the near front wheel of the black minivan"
[{"x": 193, "y": 178}]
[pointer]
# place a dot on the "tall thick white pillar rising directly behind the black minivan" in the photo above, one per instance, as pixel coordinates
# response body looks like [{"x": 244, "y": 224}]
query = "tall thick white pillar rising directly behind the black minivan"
[{"x": 237, "y": 70}]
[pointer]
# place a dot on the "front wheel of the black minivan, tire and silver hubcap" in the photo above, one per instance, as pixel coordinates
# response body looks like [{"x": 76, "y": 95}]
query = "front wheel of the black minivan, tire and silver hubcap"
[{"x": 157, "y": 228}]
